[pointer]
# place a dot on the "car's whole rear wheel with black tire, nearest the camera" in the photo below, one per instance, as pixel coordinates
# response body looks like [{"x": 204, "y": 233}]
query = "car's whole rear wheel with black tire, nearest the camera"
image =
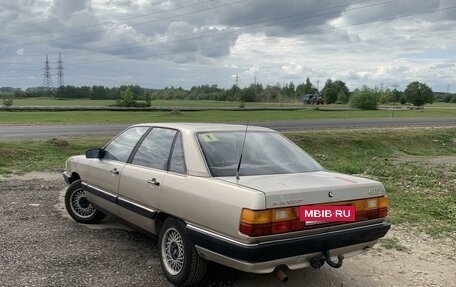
[{"x": 178, "y": 257}]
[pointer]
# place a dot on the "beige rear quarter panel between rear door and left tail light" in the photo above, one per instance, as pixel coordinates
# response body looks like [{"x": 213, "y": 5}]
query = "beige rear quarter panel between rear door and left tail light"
[{"x": 208, "y": 202}]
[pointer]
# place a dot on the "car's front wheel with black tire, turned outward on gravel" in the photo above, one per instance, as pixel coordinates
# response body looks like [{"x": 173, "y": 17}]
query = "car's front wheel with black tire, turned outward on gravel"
[{"x": 78, "y": 206}]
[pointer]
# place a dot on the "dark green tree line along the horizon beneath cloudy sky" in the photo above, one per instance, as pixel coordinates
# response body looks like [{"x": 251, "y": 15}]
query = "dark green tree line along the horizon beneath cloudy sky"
[{"x": 333, "y": 92}]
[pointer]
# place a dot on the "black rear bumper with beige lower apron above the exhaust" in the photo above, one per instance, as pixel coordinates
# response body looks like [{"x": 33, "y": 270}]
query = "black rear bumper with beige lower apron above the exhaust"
[{"x": 295, "y": 252}]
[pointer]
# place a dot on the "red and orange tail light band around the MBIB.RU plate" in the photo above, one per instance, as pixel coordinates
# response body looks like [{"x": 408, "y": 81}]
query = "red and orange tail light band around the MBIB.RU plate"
[{"x": 282, "y": 220}]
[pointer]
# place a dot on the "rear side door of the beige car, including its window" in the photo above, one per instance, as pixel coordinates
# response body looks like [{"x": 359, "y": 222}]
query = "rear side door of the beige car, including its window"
[{"x": 141, "y": 179}]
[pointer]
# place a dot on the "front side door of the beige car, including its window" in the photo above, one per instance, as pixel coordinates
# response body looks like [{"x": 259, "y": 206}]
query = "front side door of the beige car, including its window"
[{"x": 103, "y": 179}]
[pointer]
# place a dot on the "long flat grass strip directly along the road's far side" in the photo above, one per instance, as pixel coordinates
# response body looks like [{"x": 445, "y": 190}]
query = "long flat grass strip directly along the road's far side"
[{"x": 127, "y": 117}]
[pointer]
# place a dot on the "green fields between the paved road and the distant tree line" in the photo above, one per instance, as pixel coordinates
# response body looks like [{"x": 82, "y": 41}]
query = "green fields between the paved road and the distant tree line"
[{"x": 306, "y": 112}]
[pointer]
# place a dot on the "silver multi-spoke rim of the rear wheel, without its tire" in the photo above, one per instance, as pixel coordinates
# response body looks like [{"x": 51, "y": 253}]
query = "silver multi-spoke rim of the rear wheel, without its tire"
[{"x": 173, "y": 251}]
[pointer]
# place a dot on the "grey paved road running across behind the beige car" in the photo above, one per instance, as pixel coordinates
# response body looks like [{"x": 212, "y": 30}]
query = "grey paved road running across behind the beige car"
[{"x": 48, "y": 131}]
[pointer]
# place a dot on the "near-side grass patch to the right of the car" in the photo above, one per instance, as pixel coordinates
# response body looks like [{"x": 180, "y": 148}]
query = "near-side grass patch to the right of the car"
[{"x": 420, "y": 189}]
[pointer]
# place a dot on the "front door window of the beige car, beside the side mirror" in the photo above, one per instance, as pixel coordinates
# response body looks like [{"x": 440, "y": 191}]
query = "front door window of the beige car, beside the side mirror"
[{"x": 120, "y": 148}]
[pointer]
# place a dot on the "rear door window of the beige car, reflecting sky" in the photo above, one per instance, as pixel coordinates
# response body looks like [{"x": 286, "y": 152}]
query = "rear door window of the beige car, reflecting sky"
[{"x": 155, "y": 149}]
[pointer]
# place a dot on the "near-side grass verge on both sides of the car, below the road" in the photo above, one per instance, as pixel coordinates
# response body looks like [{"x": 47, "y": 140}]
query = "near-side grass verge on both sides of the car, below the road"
[{"x": 417, "y": 166}]
